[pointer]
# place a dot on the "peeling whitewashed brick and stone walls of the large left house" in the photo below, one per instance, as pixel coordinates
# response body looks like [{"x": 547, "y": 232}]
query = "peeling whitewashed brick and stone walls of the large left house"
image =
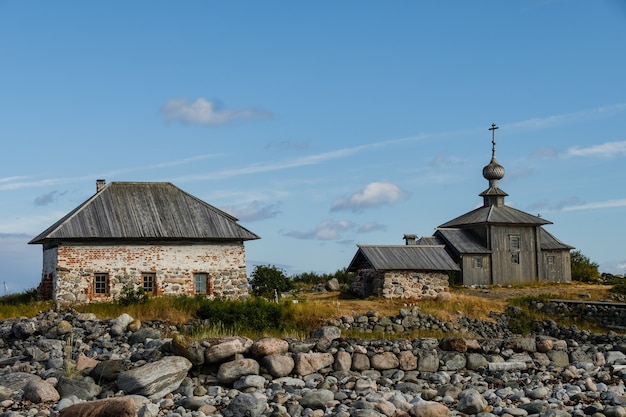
[{"x": 73, "y": 269}]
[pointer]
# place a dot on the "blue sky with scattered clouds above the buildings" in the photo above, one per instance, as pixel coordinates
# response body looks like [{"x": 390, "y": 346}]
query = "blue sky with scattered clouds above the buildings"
[{"x": 319, "y": 125}]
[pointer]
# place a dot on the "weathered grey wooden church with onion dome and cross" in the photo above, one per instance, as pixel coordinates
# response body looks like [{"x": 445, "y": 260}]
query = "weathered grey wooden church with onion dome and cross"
[{"x": 494, "y": 244}]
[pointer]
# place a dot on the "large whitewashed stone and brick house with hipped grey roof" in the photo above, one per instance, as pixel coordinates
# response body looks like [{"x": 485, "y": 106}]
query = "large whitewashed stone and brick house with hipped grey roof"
[{"x": 149, "y": 235}]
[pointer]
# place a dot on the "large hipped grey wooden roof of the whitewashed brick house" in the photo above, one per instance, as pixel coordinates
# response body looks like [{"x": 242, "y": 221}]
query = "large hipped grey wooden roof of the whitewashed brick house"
[{"x": 145, "y": 210}]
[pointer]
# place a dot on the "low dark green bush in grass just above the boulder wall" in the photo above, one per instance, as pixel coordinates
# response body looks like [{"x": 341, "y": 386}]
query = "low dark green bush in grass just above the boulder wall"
[{"x": 249, "y": 315}]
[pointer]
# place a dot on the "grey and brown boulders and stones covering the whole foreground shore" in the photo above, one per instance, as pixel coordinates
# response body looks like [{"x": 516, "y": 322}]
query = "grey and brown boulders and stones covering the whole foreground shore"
[{"x": 70, "y": 364}]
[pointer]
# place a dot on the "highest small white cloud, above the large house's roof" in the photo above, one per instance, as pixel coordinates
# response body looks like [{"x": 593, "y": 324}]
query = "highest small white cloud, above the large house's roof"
[{"x": 206, "y": 113}]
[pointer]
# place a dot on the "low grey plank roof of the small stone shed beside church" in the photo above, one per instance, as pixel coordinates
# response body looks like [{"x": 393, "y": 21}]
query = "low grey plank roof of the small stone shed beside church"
[{"x": 402, "y": 258}]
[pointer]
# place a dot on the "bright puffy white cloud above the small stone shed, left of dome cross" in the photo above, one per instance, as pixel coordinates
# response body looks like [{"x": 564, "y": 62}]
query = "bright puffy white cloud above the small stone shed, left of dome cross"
[{"x": 375, "y": 194}]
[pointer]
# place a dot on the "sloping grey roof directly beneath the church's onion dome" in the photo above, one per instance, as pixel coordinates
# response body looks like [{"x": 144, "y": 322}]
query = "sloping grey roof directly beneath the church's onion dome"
[{"x": 495, "y": 215}]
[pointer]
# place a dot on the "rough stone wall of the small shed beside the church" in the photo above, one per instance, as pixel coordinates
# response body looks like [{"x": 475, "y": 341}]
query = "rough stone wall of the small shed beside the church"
[{"x": 400, "y": 284}]
